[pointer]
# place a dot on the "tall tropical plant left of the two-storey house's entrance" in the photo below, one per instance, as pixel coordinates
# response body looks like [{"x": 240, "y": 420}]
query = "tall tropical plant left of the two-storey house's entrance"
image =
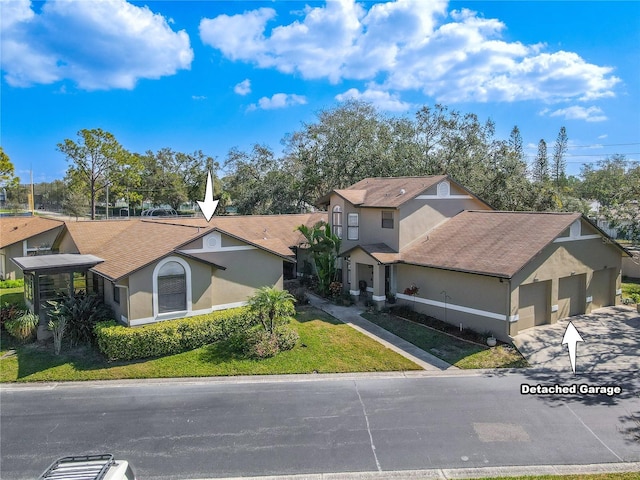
[{"x": 325, "y": 247}]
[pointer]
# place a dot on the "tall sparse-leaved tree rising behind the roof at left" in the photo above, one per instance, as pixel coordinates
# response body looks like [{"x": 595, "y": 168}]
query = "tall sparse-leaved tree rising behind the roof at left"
[{"x": 97, "y": 160}]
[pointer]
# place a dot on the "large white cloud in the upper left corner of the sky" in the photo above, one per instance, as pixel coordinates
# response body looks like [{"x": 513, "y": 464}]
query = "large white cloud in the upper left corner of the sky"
[{"x": 98, "y": 45}]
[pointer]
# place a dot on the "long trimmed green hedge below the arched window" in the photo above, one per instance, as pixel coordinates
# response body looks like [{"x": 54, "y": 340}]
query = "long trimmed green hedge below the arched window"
[{"x": 169, "y": 337}]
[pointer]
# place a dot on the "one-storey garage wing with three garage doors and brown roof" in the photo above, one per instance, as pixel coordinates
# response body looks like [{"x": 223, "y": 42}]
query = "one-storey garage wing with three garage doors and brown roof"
[{"x": 504, "y": 272}]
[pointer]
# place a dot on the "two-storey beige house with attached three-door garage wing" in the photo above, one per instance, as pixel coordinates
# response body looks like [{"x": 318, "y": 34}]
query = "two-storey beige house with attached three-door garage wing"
[{"x": 491, "y": 271}]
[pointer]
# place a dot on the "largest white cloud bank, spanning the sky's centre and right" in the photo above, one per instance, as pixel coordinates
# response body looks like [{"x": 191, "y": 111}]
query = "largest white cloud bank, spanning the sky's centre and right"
[{"x": 409, "y": 45}]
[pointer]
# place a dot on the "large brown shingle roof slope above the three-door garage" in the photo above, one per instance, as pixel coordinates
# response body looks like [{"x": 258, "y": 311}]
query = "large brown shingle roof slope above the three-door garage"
[{"x": 488, "y": 242}]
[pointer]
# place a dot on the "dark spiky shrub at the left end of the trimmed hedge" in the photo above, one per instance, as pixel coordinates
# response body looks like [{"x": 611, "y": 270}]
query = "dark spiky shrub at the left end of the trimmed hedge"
[{"x": 82, "y": 312}]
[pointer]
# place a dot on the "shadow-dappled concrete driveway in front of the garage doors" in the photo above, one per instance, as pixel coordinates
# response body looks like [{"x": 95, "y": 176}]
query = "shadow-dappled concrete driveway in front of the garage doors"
[{"x": 611, "y": 342}]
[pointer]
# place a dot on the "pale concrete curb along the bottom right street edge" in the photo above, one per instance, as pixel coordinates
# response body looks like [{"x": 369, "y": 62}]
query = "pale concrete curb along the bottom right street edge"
[{"x": 456, "y": 473}]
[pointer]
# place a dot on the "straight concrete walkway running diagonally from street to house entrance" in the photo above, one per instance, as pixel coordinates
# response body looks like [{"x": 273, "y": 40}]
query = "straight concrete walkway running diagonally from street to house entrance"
[{"x": 351, "y": 316}]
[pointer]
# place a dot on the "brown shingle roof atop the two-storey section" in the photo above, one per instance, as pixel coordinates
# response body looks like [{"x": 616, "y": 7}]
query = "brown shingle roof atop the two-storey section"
[{"x": 387, "y": 191}]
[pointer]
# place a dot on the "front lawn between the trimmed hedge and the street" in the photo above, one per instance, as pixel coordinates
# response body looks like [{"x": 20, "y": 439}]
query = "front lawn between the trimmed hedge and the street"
[{"x": 326, "y": 346}]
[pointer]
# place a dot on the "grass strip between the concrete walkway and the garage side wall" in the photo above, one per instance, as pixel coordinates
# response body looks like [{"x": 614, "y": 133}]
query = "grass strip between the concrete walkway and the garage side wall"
[{"x": 450, "y": 349}]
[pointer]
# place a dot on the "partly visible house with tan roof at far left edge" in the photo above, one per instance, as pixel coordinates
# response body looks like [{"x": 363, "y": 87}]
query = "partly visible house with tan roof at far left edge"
[{"x": 25, "y": 236}]
